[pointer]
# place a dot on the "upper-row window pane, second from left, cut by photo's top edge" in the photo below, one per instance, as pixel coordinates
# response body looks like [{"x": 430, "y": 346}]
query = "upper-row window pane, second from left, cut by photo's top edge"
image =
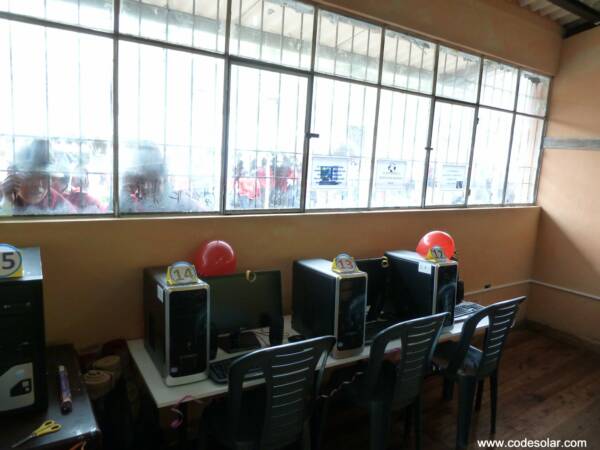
[{"x": 195, "y": 23}]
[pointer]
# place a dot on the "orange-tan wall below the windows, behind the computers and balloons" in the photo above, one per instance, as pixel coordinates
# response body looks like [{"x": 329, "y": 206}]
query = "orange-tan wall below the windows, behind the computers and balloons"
[{"x": 93, "y": 268}]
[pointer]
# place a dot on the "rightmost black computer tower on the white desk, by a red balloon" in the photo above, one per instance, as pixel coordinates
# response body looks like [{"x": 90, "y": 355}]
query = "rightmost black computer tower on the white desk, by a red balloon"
[{"x": 420, "y": 287}]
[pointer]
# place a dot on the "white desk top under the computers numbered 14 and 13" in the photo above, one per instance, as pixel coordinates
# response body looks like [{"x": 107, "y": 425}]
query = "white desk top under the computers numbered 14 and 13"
[{"x": 164, "y": 395}]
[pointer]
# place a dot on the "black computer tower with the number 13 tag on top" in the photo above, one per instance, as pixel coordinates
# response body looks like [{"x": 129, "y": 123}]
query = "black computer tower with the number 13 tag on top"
[{"x": 325, "y": 302}]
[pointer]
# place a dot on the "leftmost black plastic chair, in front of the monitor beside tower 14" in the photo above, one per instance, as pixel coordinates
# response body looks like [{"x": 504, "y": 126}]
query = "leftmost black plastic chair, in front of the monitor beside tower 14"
[{"x": 276, "y": 414}]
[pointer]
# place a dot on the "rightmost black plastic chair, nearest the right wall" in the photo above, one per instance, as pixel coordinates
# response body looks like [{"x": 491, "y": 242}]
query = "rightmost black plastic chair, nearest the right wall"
[{"x": 460, "y": 362}]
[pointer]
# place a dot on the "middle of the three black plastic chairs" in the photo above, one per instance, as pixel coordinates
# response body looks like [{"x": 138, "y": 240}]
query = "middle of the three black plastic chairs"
[{"x": 388, "y": 385}]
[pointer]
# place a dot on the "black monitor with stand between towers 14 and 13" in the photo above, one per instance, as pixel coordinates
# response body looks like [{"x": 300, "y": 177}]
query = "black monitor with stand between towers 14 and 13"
[{"x": 242, "y": 302}]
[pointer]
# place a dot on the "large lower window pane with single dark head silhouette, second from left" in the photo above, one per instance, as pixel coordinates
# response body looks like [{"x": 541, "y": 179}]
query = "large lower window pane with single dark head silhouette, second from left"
[{"x": 170, "y": 128}]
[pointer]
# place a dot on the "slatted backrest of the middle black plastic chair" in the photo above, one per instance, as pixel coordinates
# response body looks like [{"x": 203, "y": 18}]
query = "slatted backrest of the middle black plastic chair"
[{"x": 418, "y": 338}]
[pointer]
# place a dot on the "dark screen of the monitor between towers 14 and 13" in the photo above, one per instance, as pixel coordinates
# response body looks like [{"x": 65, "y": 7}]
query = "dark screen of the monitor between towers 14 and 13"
[{"x": 239, "y": 304}]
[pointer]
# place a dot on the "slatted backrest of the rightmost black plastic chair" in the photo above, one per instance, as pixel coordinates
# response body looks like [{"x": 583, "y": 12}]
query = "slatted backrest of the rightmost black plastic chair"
[{"x": 501, "y": 317}]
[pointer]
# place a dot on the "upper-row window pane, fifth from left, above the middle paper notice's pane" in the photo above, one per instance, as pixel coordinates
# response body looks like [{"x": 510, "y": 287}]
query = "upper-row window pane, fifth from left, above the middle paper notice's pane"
[{"x": 408, "y": 62}]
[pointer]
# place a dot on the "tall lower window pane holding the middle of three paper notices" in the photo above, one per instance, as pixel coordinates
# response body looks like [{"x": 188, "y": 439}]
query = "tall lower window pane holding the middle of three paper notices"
[{"x": 400, "y": 156}]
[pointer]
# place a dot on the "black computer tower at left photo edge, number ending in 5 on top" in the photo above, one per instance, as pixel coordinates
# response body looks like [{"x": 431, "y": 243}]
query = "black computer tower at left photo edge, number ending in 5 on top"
[{"x": 23, "y": 339}]
